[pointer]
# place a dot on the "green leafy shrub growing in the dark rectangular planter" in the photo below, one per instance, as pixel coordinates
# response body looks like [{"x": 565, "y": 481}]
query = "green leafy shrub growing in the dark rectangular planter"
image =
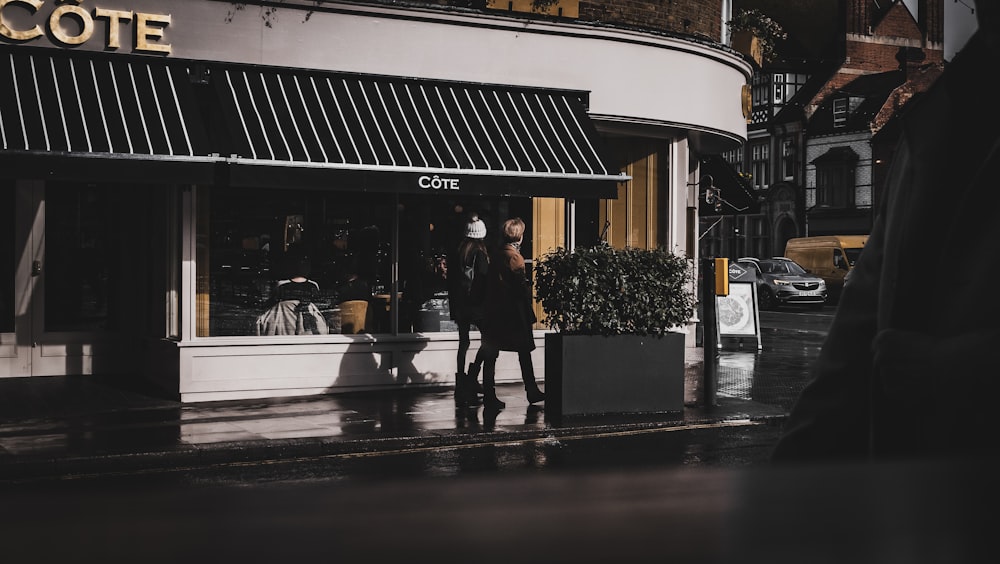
[{"x": 607, "y": 291}]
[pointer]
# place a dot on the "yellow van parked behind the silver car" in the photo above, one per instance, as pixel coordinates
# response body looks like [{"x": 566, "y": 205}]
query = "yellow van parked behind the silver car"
[{"x": 830, "y": 257}]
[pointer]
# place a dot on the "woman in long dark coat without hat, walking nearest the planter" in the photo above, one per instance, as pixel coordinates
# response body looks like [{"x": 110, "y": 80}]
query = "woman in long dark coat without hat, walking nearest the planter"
[{"x": 509, "y": 315}]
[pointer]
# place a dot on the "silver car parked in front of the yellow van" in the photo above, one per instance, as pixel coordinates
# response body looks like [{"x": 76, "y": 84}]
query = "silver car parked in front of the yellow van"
[{"x": 781, "y": 281}]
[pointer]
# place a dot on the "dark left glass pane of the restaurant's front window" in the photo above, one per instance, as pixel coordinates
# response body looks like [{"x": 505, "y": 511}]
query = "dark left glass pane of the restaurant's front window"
[{"x": 259, "y": 240}]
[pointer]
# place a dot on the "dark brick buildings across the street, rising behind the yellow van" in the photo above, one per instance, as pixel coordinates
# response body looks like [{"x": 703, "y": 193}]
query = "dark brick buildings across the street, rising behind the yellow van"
[{"x": 816, "y": 109}]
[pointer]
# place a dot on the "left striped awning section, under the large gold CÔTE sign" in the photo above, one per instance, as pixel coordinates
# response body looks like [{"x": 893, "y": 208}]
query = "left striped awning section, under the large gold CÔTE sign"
[{"x": 126, "y": 111}]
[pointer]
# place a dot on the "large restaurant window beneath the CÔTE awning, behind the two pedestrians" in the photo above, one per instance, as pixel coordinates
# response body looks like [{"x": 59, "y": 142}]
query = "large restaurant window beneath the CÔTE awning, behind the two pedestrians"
[{"x": 255, "y": 240}]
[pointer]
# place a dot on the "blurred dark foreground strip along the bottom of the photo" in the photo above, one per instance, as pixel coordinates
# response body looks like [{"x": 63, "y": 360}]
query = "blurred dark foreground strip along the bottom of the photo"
[{"x": 895, "y": 512}]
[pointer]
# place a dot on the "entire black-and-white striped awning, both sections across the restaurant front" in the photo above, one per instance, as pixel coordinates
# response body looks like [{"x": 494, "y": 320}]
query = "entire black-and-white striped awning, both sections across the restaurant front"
[{"x": 84, "y": 115}]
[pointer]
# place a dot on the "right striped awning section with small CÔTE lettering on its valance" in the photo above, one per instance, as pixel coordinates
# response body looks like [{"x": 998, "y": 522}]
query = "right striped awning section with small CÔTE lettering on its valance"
[{"x": 494, "y": 138}]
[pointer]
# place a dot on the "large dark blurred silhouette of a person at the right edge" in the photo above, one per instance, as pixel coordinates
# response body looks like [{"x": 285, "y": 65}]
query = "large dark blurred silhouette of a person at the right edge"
[{"x": 904, "y": 371}]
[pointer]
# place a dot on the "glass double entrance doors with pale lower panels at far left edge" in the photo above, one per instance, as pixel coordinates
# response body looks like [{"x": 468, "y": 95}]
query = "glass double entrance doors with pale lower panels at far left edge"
[{"x": 54, "y": 292}]
